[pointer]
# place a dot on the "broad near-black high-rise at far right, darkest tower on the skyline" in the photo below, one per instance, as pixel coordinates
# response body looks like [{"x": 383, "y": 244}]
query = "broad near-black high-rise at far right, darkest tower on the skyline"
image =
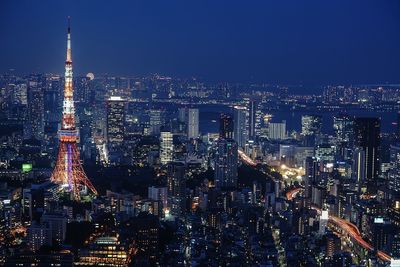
[{"x": 367, "y": 138}]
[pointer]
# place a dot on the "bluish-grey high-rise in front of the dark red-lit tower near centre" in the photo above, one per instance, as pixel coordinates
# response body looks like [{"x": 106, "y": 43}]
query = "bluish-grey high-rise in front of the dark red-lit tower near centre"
[{"x": 226, "y": 163}]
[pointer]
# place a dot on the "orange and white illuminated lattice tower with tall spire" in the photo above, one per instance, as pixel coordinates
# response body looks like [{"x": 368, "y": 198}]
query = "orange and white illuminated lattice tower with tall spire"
[{"x": 68, "y": 170}]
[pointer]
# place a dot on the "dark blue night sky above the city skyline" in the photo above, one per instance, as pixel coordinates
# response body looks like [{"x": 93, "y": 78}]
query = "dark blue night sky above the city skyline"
[{"x": 284, "y": 41}]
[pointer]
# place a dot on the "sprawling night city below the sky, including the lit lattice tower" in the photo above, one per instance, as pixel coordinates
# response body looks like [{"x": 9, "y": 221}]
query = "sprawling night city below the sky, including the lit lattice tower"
[{"x": 101, "y": 169}]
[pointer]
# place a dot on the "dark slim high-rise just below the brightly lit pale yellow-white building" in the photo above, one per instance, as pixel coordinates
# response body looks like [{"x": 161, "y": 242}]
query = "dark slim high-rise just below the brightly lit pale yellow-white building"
[{"x": 176, "y": 184}]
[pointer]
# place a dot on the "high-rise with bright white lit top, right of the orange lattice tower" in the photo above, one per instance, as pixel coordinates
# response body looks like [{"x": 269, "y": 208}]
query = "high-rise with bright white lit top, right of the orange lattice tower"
[{"x": 115, "y": 120}]
